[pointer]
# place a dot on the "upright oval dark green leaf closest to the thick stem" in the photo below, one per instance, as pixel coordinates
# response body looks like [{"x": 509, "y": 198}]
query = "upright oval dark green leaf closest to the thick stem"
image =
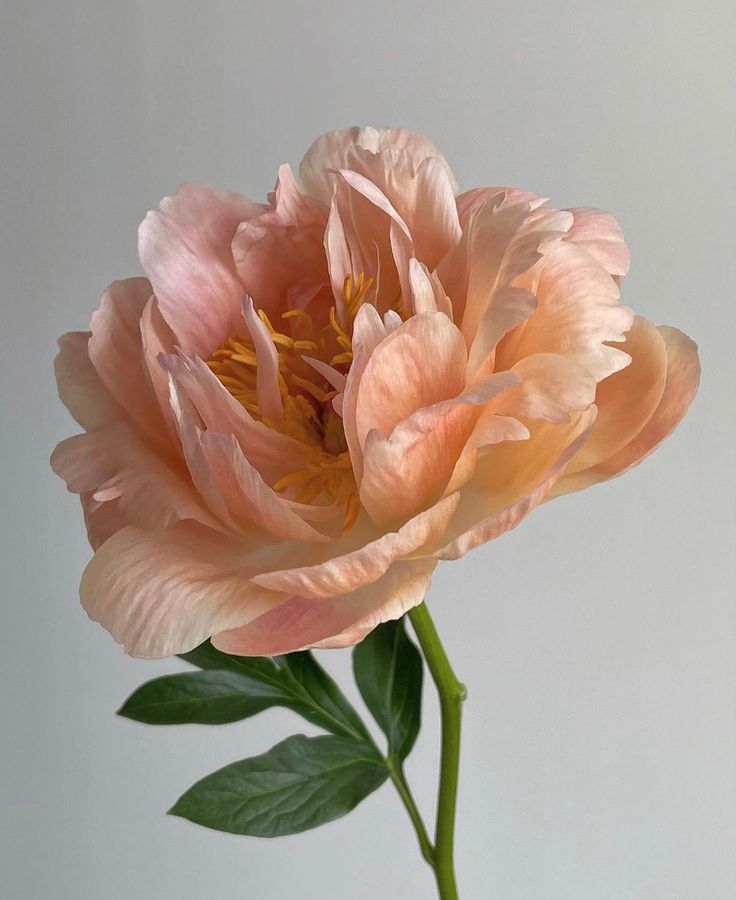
[{"x": 388, "y": 671}]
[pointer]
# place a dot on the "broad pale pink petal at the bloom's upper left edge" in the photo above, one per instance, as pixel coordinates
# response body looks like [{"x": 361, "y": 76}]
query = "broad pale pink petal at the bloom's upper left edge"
[{"x": 185, "y": 250}]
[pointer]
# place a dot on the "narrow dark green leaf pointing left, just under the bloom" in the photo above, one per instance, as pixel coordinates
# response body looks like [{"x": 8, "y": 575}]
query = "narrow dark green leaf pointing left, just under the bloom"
[{"x": 209, "y": 698}]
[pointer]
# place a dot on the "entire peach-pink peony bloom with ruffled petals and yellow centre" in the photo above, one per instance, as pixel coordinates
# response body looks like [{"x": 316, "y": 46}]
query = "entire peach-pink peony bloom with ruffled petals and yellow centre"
[{"x": 309, "y": 402}]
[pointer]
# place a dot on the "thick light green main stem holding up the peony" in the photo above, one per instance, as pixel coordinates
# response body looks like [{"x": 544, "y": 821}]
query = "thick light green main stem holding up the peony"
[{"x": 451, "y": 693}]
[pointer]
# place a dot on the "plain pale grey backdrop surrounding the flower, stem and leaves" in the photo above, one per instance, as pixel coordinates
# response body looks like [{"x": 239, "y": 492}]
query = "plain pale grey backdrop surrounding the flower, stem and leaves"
[{"x": 597, "y": 639}]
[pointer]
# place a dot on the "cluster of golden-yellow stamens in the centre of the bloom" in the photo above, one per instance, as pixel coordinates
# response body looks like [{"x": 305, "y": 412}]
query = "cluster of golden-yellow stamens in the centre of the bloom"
[{"x": 306, "y": 393}]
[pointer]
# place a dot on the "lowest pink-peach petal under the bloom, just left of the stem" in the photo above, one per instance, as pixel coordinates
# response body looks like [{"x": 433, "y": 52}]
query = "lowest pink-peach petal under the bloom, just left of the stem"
[{"x": 337, "y": 621}]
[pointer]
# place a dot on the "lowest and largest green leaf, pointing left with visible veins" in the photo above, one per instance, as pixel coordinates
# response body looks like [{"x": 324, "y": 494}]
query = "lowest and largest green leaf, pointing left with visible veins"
[{"x": 299, "y": 784}]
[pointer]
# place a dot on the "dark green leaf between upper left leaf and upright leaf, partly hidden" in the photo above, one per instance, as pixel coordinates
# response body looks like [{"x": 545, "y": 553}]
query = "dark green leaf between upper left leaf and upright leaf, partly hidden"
[{"x": 296, "y": 681}]
